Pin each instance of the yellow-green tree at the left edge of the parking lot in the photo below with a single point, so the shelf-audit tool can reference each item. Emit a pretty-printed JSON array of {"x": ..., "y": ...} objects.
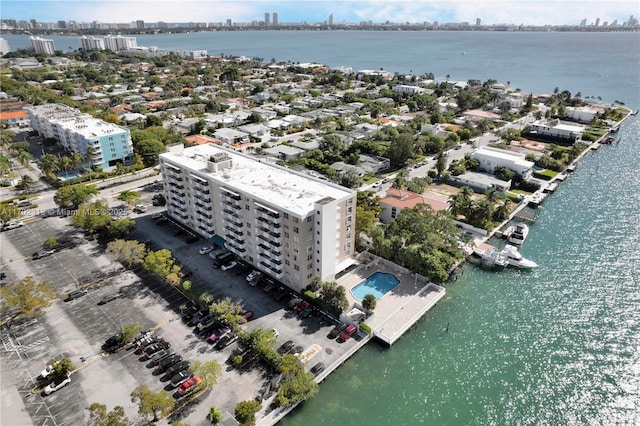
[{"x": 27, "y": 296}]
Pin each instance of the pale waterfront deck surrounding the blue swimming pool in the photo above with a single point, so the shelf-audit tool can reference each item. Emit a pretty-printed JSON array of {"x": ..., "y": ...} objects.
[{"x": 401, "y": 307}]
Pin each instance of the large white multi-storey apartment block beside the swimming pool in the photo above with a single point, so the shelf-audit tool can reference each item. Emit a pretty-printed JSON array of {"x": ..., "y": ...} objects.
[{"x": 285, "y": 223}]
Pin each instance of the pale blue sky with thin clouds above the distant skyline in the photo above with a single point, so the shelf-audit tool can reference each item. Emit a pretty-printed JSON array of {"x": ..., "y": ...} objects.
[{"x": 528, "y": 12}]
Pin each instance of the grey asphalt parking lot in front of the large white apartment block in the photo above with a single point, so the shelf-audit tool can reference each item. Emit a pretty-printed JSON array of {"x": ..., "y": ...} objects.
[{"x": 78, "y": 328}]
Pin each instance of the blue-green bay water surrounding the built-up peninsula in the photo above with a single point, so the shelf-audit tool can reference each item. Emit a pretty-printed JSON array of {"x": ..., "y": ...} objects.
[{"x": 556, "y": 346}]
